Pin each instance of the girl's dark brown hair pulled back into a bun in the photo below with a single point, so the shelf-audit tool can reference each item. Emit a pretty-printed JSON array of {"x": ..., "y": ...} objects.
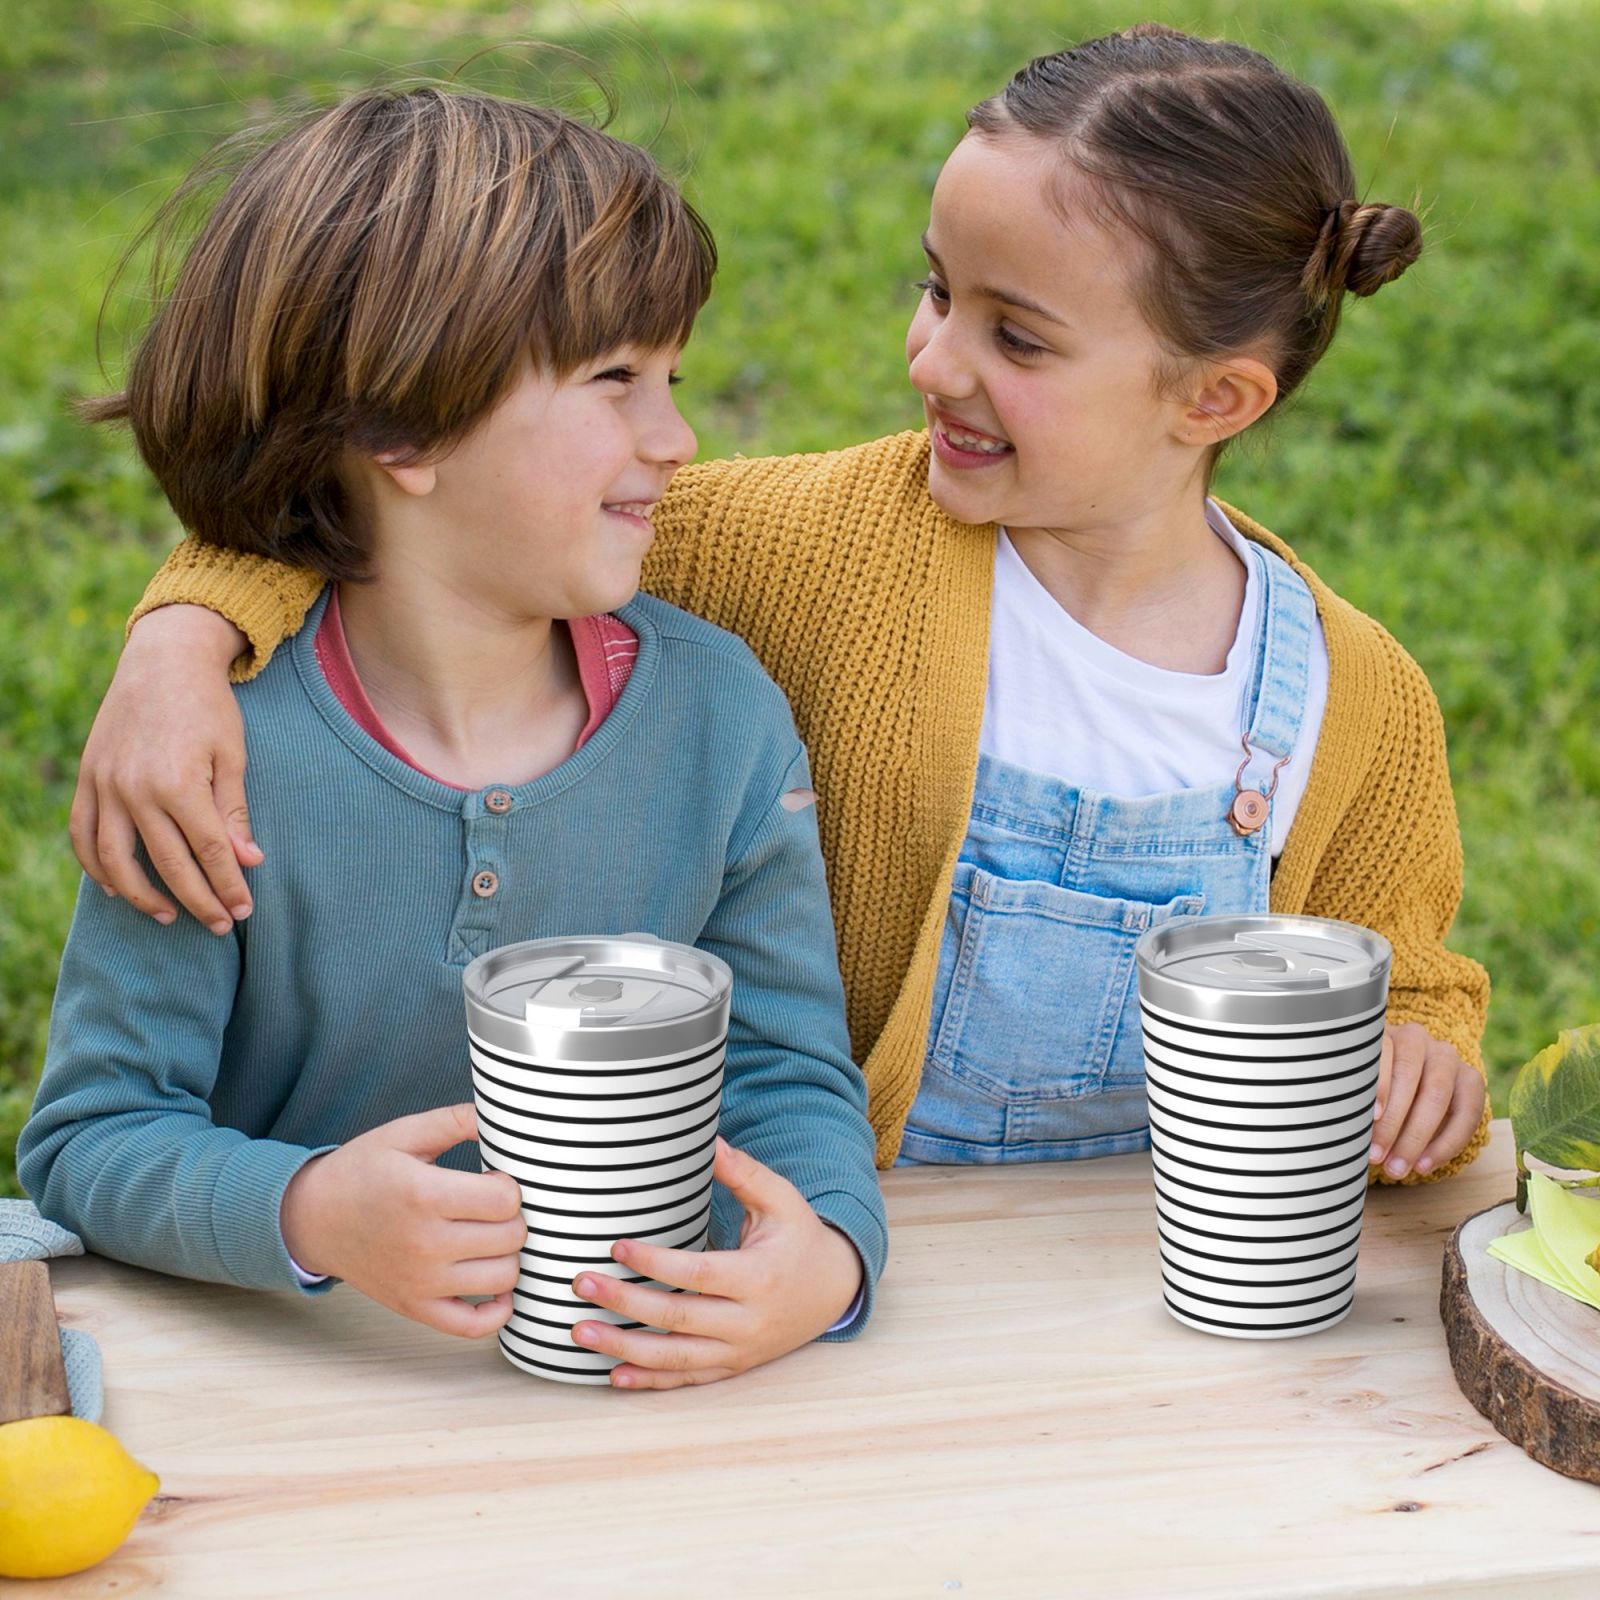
[{"x": 1234, "y": 175}]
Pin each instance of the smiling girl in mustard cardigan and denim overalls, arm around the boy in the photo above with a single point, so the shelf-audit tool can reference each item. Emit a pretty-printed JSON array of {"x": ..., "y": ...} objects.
[{"x": 1055, "y": 692}]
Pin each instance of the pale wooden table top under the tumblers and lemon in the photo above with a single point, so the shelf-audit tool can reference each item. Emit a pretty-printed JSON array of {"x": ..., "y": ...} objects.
[{"x": 1023, "y": 1418}]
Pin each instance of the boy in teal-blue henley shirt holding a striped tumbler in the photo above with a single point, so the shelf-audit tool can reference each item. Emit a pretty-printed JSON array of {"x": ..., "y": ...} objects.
[{"x": 425, "y": 345}]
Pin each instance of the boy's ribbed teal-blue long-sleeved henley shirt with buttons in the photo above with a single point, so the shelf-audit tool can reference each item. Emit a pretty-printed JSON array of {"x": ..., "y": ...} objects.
[{"x": 188, "y": 1078}]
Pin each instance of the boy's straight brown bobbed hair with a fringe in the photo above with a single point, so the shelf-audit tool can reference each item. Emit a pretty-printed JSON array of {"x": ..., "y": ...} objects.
[{"x": 375, "y": 279}]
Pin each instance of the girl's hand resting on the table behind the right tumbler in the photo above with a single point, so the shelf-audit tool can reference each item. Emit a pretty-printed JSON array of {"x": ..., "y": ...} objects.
[{"x": 1430, "y": 1102}]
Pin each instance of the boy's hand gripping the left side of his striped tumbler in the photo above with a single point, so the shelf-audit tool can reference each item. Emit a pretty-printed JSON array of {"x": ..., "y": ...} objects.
[{"x": 406, "y": 1233}]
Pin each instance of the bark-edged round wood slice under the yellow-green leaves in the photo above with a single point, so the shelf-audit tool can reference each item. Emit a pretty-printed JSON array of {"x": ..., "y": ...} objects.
[{"x": 1524, "y": 1354}]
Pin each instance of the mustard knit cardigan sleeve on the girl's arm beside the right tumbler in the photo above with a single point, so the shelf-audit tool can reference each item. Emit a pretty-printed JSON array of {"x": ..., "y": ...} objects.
[{"x": 1396, "y": 865}]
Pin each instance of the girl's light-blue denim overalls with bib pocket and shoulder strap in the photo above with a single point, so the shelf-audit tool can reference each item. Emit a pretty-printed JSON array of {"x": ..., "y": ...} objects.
[{"x": 1034, "y": 1049}]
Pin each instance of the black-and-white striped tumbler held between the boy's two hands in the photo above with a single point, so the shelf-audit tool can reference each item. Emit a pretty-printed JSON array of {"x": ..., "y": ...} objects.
[{"x": 598, "y": 1074}]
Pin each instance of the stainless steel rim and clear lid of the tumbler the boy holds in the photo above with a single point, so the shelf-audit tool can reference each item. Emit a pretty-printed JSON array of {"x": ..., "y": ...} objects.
[{"x": 598, "y": 999}]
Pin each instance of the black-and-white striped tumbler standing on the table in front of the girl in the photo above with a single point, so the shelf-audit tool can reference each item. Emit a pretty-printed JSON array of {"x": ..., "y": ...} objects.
[{"x": 1262, "y": 1047}]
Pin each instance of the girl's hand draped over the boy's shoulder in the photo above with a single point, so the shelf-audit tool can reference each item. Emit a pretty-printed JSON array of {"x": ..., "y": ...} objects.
[{"x": 166, "y": 762}]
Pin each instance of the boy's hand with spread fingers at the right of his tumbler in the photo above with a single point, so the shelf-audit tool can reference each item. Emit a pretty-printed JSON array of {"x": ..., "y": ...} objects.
[{"x": 790, "y": 1281}]
